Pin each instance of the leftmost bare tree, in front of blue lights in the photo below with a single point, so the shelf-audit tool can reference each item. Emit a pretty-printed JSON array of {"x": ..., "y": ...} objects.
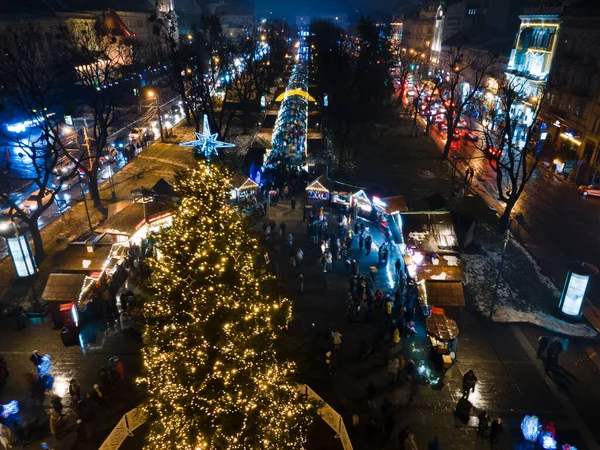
[{"x": 31, "y": 85}]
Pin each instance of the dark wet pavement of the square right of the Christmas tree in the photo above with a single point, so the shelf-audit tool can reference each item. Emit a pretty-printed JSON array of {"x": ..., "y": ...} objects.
[{"x": 511, "y": 383}]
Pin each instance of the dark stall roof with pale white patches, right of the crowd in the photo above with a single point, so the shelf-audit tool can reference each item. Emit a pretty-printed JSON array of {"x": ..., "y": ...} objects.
[{"x": 429, "y": 231}]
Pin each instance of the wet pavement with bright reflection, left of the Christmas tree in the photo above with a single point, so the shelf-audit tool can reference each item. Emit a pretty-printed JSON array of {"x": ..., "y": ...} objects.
[{"x": 82, "y": 363}]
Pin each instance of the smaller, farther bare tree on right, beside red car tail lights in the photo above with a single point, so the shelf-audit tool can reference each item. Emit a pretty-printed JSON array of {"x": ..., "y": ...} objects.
[{"x": 464, "y": 73}]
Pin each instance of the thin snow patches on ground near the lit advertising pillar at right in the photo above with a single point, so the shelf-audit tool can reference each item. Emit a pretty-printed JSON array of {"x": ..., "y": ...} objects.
[{"x": 482, "y": 271}]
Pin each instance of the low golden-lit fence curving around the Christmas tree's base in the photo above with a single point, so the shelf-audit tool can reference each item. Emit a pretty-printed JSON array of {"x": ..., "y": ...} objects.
[{"x": 137, "y": 417}]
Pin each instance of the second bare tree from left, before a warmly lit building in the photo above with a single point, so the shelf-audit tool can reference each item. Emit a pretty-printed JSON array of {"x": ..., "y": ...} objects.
[{"x": 96, "y": 58}]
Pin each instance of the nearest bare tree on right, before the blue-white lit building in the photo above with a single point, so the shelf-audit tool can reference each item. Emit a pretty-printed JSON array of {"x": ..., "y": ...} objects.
[{"x": 509, "y": 144}]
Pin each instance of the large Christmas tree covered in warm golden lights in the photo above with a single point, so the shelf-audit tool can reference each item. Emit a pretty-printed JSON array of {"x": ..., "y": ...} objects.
[{"x": 211, "y": 368}]
